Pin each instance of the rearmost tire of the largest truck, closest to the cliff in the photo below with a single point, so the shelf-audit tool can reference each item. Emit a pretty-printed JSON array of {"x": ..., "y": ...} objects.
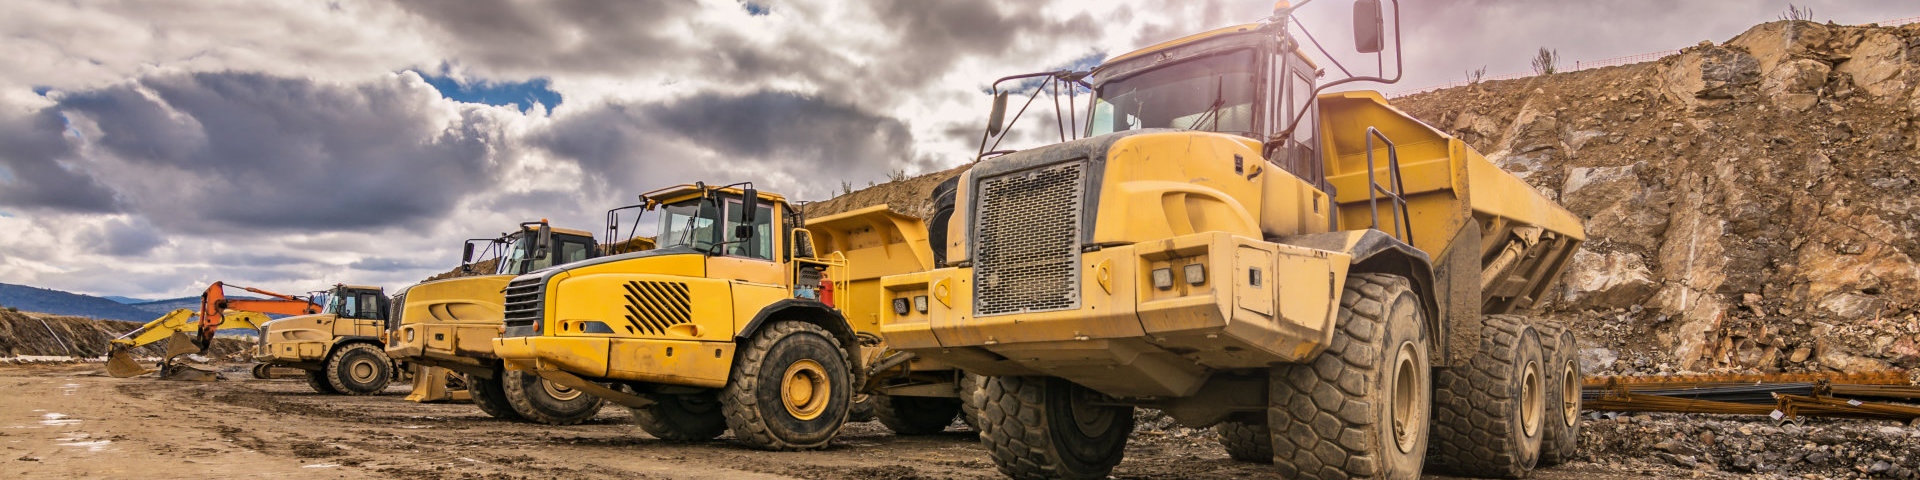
[{"x": 1562, "y": 441}]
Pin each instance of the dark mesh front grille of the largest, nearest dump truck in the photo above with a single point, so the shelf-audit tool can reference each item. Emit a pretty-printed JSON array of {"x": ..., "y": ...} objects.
[{"x": 1026, "y": 249}]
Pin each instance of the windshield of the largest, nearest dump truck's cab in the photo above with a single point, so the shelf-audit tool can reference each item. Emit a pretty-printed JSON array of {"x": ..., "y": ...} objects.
[{"x": 1212, "y": 93}]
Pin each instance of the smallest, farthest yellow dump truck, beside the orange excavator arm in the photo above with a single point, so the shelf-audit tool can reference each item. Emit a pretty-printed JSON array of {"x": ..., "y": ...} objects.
[{"x": 339, "y": 347}]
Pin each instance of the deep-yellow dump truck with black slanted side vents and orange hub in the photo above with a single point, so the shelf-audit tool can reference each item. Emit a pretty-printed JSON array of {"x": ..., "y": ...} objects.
[{"x": 736, "y": 322}]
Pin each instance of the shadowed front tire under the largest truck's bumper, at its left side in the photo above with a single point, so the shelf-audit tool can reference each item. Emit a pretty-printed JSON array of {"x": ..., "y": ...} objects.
[{"x": 1030, "y": 431}]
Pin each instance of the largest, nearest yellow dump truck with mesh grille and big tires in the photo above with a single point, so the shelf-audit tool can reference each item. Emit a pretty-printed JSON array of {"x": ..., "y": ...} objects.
[{"x": 1335, "y": 285}]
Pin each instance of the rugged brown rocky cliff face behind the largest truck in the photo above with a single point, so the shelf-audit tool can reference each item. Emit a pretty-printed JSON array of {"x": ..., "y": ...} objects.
[{"x": 1750, "y": 204}]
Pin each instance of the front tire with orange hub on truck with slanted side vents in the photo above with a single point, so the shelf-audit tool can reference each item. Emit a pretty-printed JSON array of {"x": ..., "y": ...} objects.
[{"x": 752, "y": 398}]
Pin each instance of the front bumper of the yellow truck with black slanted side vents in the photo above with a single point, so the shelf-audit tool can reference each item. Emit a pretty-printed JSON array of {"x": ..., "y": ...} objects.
[{"x": 638, "y": 360}]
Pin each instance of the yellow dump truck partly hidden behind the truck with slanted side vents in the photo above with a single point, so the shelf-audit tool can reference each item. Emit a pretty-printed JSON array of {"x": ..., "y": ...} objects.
[{"x": 452, "y": 325}]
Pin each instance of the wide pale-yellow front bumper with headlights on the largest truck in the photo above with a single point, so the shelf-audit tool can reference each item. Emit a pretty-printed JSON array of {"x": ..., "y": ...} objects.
[{"x": 1255, "y": 304}]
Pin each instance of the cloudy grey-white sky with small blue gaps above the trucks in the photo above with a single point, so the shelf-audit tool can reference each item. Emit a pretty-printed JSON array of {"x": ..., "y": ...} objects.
[{"x": 153, "y": 147}]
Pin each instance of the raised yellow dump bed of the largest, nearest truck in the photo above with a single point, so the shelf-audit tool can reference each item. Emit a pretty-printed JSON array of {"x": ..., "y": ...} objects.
[{"x": 1460, "y": 208}]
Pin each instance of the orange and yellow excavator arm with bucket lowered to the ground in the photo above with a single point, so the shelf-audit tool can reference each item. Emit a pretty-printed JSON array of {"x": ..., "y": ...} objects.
[{"x": 216, "y": 312}]
